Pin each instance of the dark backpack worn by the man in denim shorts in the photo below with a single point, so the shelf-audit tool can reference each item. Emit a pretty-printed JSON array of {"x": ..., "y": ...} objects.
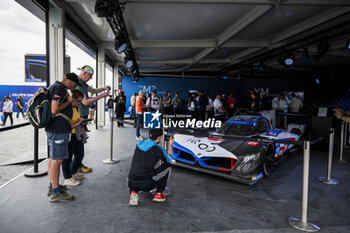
[{"x": 39, "y": 109}]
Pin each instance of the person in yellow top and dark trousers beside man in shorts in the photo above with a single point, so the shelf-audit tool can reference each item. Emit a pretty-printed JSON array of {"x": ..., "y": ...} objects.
[{"x": 71, "y": 165}]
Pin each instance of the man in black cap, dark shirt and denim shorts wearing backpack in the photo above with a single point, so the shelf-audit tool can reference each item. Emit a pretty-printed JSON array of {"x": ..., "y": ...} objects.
[{"x": 58, "y": 134}]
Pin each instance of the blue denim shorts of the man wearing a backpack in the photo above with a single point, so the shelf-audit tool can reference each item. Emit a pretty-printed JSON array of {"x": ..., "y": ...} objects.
[{"x": 58, "y": 145}]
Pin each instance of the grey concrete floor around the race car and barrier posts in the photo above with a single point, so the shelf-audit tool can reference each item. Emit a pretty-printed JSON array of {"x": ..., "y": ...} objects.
[{"x": 199, "y": 203}]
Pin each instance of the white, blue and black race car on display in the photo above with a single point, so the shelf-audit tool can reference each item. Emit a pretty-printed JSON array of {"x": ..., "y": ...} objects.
[{"x": 240, "y": 160}]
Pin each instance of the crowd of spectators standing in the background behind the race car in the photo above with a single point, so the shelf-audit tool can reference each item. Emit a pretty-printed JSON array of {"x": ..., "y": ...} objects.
[{"x": 202, "y": 105}]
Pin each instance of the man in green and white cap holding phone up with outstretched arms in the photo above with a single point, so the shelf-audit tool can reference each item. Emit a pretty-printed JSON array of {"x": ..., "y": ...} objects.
[{"x": 84, "y": 76}]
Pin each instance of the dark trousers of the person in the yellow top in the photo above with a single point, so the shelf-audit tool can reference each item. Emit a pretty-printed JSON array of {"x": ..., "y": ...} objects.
[{"x": 71, "y": 165}]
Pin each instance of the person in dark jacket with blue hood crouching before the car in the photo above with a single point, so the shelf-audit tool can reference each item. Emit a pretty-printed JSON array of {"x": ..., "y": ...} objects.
[{"x": 150, "y": 167}]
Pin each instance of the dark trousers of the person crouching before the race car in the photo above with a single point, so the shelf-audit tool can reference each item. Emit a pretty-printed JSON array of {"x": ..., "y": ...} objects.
[{"x": 158, "y": 181}]
